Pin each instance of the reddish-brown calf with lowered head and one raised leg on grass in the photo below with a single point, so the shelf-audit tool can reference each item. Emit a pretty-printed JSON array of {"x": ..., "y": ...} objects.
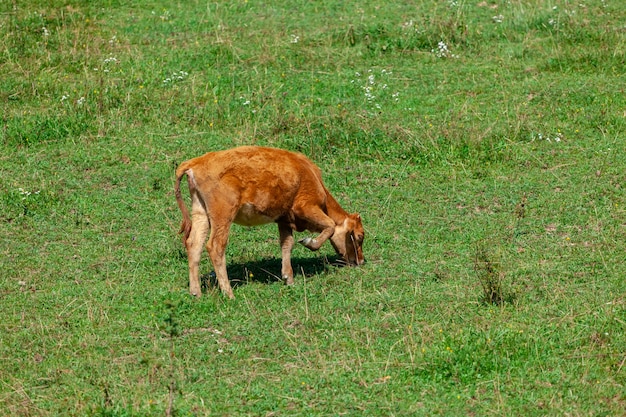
[{"x": 251, "y": 186}]
